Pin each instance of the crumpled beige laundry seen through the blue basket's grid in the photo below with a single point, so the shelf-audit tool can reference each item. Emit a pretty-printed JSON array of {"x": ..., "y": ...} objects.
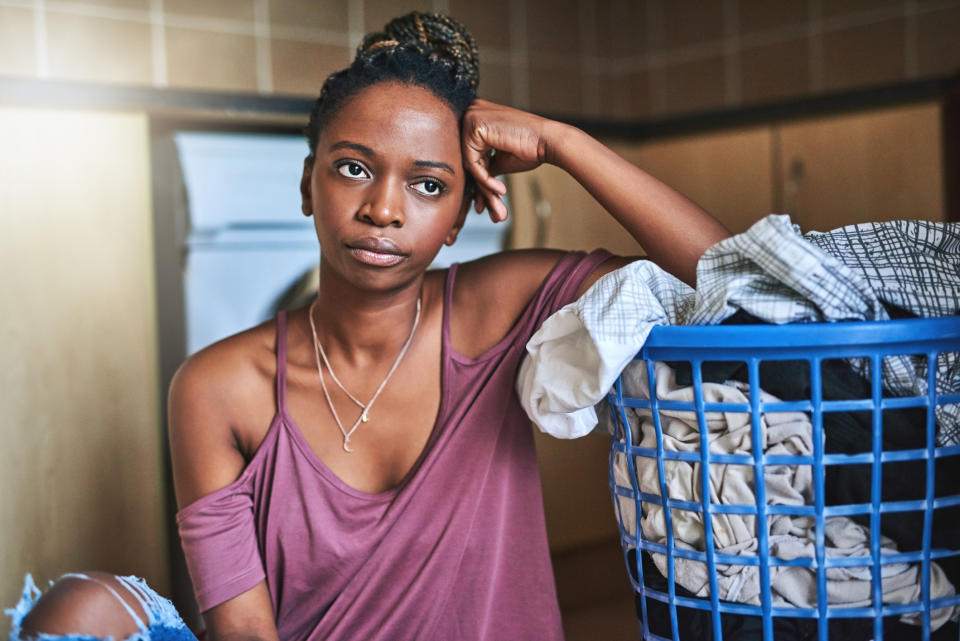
[{"x": 790, "y": 536}]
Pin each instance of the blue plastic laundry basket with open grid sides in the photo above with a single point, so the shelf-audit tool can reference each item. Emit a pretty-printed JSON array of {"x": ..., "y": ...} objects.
[{"x": 808, "y": 349}]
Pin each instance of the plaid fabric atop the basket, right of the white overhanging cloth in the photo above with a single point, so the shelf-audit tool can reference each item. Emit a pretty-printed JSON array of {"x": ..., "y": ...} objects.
[{"x": 774, "y": 273}]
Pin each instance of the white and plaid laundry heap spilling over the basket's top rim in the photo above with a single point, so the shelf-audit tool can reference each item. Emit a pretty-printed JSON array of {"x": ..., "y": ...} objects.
[{"x": 769, "y": 271}]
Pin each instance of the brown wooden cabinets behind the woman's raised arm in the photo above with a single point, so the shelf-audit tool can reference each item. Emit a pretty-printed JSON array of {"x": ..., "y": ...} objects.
[{"x": 825, "y": 172}]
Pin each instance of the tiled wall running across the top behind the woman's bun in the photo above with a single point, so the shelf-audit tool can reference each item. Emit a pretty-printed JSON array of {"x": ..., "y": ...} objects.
[{"x": 618, "y": 59}]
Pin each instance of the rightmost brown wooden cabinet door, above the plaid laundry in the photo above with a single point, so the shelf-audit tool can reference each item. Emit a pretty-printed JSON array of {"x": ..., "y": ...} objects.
[{"x": 881, "y": 165}]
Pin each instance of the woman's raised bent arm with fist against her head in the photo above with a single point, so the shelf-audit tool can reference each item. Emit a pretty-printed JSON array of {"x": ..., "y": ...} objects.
[{"x": 671, "y": 228}]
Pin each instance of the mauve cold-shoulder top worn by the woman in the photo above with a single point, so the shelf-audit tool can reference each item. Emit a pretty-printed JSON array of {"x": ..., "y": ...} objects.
[{"x": 457, "y": 551}]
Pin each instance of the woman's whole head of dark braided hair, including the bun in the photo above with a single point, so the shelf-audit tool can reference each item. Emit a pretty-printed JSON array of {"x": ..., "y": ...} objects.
[{"x": 428, "y": 50}]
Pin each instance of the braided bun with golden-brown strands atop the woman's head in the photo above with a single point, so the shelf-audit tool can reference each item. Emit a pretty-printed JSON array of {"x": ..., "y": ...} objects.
[{"x": 435, "y": 35}]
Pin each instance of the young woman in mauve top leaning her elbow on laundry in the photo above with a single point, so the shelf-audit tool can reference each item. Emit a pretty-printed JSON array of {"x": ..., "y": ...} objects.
[{"x": 361, "y": 468}]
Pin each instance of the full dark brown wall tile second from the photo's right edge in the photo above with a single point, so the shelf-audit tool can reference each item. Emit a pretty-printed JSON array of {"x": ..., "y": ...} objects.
[{"x": 867, "y": 55}]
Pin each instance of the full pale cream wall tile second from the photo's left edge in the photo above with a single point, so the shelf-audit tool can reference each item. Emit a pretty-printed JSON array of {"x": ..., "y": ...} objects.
[{"x": 98, "y": 49}]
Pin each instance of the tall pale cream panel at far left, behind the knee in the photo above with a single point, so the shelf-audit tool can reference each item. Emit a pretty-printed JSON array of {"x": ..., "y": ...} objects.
[{"x": 80, "y": 460}]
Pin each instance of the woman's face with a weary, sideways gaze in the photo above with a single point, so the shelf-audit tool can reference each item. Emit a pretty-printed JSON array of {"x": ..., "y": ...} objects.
[{"x": 386, "y": 185}]
